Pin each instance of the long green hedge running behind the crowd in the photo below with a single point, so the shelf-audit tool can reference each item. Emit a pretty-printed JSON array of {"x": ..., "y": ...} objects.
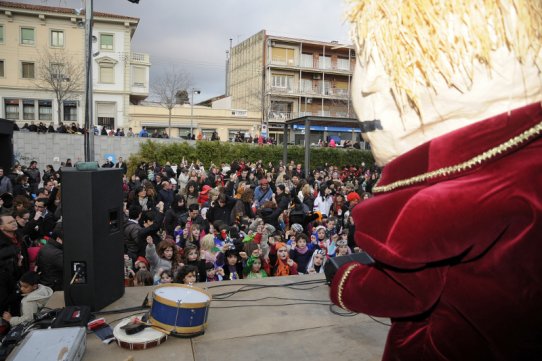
[{"x": 223, "y": 152}]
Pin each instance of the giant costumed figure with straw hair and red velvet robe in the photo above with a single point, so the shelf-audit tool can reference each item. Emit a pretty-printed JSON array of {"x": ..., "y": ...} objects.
[{"x": 449, "y": 94}]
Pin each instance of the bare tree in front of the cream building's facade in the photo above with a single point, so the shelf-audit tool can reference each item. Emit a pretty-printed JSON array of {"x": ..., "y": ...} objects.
[{"x": 61, "y": 74}]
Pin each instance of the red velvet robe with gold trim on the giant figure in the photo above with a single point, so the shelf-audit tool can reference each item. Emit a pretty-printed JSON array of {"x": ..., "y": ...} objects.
[{"x": 459, "y": 255}]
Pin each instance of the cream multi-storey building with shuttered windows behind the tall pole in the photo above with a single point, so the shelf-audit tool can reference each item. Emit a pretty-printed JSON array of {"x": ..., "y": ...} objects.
[{"x": 44, "y": 42}]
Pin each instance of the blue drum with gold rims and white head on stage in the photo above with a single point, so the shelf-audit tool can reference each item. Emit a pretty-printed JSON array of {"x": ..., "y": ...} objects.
[{"x": 180, "y": 309}]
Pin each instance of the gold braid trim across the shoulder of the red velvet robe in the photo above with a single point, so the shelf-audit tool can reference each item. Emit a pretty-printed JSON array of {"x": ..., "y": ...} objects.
[{"x": 475, "y": 161}]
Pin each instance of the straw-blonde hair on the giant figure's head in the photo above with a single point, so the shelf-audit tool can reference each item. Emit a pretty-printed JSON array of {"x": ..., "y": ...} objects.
[{"x": 421, "y": 42}]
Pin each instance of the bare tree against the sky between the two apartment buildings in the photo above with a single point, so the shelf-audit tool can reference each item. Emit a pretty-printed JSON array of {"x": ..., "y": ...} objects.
[{"x": 167, "y": 88}]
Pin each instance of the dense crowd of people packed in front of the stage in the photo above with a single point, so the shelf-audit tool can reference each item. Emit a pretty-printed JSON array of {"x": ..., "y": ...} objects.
[{"x": 189, "y": 223}]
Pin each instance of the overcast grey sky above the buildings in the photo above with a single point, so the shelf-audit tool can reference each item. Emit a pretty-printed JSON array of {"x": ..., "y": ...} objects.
[{"x": 193, "y": 35}]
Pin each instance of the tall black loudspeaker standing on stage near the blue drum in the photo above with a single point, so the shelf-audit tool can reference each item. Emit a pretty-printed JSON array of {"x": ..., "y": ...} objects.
[{"x": 93, "y": 242}]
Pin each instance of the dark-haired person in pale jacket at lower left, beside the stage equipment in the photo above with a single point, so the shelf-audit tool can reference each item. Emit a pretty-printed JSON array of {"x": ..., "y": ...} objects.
[{"x": 35, "y": 296}]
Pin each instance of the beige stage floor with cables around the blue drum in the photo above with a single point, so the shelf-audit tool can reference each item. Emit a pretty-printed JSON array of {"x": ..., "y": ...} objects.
[{"x": 267, "y": 320}]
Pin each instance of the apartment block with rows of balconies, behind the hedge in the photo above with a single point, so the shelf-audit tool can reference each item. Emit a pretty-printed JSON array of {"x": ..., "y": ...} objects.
[{"x": 287, "y": 78}]
